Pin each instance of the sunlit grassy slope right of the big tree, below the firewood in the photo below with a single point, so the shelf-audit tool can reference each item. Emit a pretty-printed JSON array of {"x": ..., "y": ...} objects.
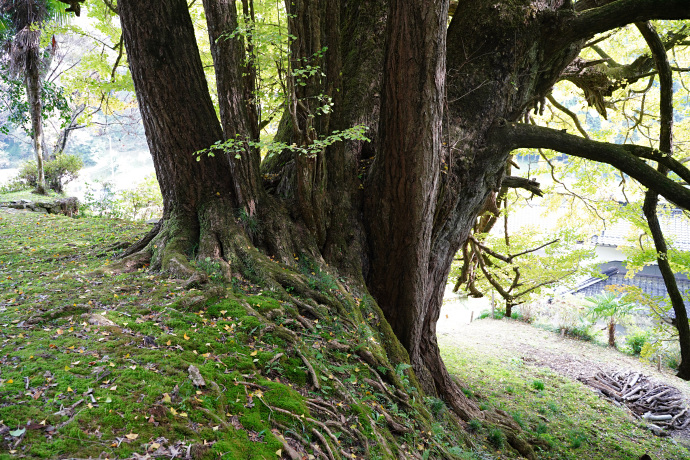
[{"x": 568, "y": 417}]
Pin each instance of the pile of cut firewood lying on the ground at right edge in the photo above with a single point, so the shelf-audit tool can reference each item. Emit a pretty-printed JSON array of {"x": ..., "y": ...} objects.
[{"x": 661, "y": 405}]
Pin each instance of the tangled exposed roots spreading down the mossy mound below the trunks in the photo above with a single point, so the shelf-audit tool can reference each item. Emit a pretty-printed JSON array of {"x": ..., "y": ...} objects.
[{"x": 170, "y": 250}]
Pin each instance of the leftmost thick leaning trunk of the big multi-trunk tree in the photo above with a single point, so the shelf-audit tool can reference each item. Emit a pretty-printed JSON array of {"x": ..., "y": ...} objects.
[{"x": 179, "y": 120}]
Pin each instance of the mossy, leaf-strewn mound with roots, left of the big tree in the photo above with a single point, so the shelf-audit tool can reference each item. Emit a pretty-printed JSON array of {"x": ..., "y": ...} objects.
[{"x": 95, "y": 365}]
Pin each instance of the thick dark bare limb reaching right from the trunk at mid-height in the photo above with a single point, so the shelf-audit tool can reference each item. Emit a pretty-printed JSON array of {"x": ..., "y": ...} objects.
[{"x": 627, "y": 158}]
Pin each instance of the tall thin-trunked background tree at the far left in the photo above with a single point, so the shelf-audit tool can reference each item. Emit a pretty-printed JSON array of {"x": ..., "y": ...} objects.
[{"x": 25, "y": 20}]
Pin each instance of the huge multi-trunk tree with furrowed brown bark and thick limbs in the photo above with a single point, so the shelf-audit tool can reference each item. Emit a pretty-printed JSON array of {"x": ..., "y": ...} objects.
[{"x": 443, "y": 98}]
